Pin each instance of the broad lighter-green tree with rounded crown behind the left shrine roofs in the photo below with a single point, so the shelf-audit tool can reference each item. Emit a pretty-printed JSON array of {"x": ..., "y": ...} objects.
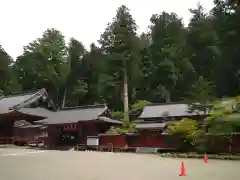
[{"x": 51, "y": 64}]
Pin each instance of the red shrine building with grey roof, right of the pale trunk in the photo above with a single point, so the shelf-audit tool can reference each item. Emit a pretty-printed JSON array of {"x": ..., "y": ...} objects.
[{"x": 154, "y": 119}]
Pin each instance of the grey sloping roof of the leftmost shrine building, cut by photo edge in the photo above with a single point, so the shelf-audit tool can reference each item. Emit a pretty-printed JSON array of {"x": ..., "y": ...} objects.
[{"x": 10, "y": 103}]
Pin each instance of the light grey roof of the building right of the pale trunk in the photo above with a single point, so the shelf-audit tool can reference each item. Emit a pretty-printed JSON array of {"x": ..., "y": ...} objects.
[{"x": 168, "y": 109}]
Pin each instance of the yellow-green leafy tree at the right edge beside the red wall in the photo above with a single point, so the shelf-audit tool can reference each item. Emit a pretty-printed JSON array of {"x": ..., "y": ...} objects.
[{"x": 223, "y": 122}]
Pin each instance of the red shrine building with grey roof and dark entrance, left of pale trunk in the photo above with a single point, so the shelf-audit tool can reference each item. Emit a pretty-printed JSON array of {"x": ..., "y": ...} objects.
[{"x": 72, "y": 125}]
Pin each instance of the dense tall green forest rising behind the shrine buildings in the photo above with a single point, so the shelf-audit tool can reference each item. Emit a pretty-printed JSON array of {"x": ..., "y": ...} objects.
[{"x": 171, "y": 62}]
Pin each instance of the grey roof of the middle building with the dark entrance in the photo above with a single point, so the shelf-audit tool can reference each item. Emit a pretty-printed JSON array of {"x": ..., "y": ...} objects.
[{"x": 73, "y": 115}]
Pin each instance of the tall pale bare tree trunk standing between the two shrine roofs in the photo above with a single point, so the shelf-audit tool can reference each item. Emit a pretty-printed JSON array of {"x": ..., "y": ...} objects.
[{"x": 125, "y": 95}]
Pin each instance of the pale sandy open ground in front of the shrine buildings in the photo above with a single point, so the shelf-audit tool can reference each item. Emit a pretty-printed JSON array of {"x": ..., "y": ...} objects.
[{"x": 21, "y": 164}]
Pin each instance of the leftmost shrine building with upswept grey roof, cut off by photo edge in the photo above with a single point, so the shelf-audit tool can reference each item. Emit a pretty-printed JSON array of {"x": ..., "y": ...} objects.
[{"x": 10, "y": 110}]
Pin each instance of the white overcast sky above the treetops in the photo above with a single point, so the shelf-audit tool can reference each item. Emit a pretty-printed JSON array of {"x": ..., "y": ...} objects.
[{"x": 22, "y": 21}]
